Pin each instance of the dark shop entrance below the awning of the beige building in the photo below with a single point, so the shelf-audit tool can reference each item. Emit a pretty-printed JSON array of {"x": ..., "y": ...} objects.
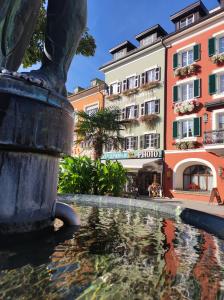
[{"x": 147, "y": 178}]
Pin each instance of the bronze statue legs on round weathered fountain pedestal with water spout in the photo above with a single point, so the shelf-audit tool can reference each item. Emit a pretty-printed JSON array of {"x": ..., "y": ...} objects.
[{"x": 36, "y": 119}]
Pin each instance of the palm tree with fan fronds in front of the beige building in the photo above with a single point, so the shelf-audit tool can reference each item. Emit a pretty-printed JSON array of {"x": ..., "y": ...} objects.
[{"x": 100, "y": 129}]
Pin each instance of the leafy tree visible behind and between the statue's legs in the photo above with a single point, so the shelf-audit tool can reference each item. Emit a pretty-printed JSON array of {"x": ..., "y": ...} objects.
[{"x": 33, "y": 54}]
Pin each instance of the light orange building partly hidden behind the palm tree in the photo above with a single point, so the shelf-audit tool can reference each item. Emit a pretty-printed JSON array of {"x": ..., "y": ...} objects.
[{"x": 89, "y": 100}]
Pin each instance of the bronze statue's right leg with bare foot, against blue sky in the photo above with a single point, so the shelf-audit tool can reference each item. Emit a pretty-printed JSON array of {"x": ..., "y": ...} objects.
[{"x": 66, "y": 21}]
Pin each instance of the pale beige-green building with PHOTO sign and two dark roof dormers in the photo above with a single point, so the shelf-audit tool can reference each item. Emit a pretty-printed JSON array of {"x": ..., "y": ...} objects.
[{"x": 136, "y": 84}]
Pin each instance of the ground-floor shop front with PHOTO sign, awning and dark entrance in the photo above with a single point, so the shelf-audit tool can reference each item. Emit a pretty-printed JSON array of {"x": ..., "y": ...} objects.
[{"x": 143, "y": 166}]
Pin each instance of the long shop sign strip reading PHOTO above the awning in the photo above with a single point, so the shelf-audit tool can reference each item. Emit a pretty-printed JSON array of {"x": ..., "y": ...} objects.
[{"x": 140, "y": 154}]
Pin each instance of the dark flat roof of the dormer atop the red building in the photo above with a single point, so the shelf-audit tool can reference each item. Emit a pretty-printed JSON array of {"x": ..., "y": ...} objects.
[{"x": 196, "y": 6}]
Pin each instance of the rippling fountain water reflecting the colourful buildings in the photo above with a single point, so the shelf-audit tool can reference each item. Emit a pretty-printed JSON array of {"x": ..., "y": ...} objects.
[{"x": 116, "y": 254}]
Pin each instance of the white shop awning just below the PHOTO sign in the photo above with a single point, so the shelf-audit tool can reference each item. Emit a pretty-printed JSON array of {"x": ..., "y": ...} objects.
[{"x": 137, "y": 164}]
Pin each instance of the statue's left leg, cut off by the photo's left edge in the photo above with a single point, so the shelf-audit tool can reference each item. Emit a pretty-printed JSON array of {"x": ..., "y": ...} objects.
[{"x": 17, "y": 25}]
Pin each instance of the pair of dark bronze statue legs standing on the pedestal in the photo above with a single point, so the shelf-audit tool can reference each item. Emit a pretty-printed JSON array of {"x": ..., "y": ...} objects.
[{"x": 66, "y": 20}]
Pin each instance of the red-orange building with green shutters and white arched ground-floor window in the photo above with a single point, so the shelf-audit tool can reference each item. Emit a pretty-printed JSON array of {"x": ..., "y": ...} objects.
[{"x": 194, "y": 162}]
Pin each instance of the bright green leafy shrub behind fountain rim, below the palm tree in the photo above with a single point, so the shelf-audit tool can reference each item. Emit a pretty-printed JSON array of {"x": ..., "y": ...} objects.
[{"x": 81, "y": 175}]
